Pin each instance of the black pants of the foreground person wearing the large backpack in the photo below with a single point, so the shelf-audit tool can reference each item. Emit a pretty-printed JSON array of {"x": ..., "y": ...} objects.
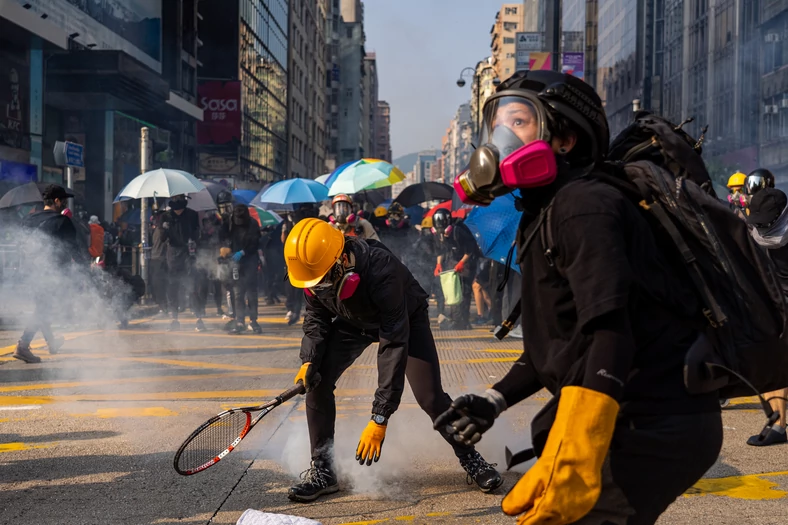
[{"x": 652, "y": 461}]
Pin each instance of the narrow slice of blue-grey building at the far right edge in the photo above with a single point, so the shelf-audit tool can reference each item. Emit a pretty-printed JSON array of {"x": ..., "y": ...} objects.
[{"x": 774, "y": 88}]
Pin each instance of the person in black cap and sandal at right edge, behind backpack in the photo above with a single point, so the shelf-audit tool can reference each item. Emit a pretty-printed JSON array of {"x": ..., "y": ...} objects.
[{"x": 769, "y": 227}]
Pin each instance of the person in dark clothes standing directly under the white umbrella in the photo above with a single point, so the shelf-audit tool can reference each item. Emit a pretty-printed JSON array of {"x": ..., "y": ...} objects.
[{"x": 181, "y": 227}]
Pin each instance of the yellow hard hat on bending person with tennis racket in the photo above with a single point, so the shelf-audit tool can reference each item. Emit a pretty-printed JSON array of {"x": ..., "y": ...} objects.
[{"x": 311, "y": 250}]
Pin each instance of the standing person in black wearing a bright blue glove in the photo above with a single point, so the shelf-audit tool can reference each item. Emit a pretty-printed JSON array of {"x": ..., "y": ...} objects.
[{"x": 243, "y": 235}]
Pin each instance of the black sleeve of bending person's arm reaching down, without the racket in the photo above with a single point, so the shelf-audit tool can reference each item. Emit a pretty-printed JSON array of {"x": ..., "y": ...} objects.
[{"x": 394, "y": 333}]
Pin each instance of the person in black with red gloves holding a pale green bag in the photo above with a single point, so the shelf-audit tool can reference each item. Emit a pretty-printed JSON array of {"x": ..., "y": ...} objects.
[{"x": 456, "y": 248}]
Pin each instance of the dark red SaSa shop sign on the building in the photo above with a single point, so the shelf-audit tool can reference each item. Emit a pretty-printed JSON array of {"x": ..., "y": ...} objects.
[{"x": 221, "y": 102}]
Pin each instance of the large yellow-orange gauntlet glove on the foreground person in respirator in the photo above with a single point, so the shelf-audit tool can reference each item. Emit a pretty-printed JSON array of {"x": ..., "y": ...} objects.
[{"x": 565, "y": 483}]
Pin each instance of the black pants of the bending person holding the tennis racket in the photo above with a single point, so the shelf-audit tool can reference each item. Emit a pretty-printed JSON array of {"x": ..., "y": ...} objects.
[{"x": 345, "y": 344}]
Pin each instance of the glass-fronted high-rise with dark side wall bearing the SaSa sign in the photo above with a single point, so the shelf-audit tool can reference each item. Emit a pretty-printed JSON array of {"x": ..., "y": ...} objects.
[{"x": 244, "y": 81}]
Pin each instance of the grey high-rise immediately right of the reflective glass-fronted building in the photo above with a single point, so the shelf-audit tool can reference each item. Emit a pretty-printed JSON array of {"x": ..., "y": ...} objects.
[{"x": 306, "y": 92}]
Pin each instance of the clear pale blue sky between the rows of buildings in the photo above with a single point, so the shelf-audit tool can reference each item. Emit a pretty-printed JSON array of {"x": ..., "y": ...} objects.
[{"x": 422, "y": 46}]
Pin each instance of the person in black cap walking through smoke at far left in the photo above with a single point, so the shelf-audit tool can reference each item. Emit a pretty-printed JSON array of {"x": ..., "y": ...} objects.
[{"x": 60, "y": 248}]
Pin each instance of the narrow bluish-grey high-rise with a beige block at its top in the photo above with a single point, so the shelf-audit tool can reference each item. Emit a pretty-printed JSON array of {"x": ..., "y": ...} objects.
[{"x": 352, "y": 142}]
